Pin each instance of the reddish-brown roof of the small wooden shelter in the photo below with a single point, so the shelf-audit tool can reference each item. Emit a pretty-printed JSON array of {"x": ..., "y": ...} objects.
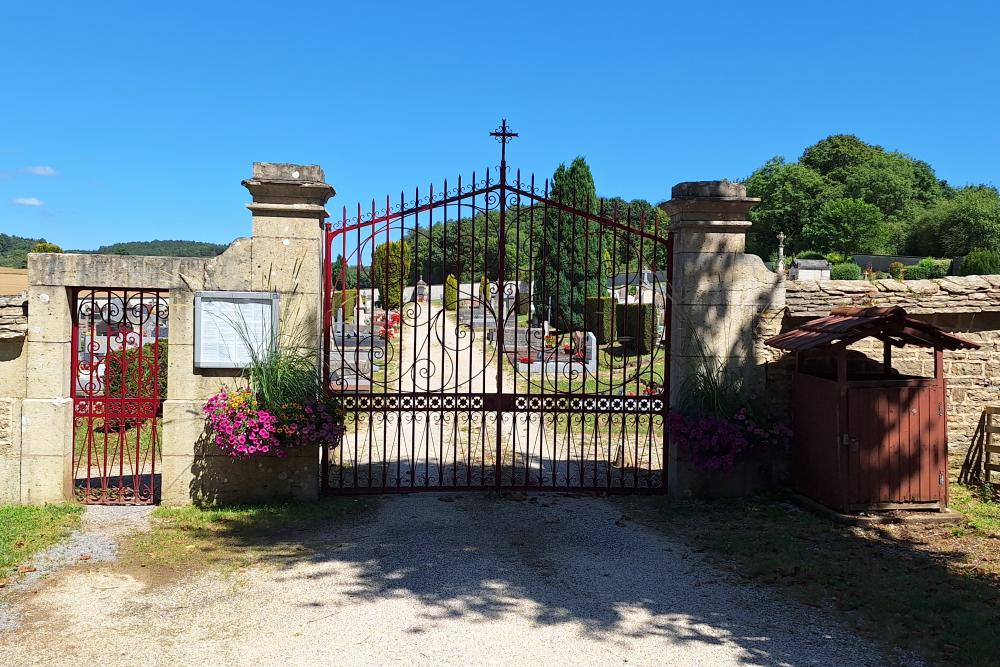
[{"x": 850, "y": 324}]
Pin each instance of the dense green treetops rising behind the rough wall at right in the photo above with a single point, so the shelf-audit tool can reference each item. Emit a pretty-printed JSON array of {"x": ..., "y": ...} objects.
[{"x": 850, "y": 197}]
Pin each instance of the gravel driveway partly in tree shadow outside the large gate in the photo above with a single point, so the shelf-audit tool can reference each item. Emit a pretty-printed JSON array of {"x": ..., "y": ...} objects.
[{"x": 439, "y": 580}]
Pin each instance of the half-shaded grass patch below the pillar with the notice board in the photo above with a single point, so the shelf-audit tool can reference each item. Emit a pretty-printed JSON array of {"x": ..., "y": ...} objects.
[{"x": 187, "y": 539}]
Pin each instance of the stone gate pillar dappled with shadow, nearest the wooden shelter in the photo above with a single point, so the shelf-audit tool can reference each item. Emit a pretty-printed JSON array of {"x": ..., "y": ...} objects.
[{"x": 719, "y": 297}]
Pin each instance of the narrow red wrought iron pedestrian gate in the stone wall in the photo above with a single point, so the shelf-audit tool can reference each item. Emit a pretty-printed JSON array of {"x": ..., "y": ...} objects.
[{"x": 118, "y": 365}]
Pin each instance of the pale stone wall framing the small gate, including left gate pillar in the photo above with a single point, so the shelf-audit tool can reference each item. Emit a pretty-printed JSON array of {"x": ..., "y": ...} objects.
[{"x": 283, "y": 255}]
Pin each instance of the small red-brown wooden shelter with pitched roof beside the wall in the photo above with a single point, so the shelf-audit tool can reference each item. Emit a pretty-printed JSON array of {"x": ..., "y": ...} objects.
[{"x": 866, "y": 436}]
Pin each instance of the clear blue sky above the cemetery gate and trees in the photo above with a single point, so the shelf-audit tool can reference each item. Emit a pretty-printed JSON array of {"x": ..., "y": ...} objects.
[{"x": 134, "y": 121}]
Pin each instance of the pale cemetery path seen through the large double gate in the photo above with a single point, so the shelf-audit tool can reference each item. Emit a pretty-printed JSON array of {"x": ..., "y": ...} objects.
[{"x": 437, "y": 356}]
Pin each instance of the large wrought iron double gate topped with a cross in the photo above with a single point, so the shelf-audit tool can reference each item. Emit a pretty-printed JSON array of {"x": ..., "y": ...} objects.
[{"x": 462, "y": 332}]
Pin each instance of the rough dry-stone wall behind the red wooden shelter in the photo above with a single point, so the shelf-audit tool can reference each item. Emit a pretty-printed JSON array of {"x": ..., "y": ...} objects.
[{"x": 968, "y": 306}]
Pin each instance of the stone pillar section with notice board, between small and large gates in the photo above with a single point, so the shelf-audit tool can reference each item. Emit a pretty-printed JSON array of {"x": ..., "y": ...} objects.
[{"x": 284, "y": 256}]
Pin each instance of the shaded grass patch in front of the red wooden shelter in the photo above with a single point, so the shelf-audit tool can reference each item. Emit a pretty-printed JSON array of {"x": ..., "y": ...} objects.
[{"x": 922, "y": 589}]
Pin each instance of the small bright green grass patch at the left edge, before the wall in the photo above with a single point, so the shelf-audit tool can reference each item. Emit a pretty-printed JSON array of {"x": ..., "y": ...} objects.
[{"x": 26, "y": 530}]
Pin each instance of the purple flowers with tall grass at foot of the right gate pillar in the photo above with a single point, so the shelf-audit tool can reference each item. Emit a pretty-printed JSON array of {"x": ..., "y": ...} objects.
[{"x": 716, "y": 424}]
